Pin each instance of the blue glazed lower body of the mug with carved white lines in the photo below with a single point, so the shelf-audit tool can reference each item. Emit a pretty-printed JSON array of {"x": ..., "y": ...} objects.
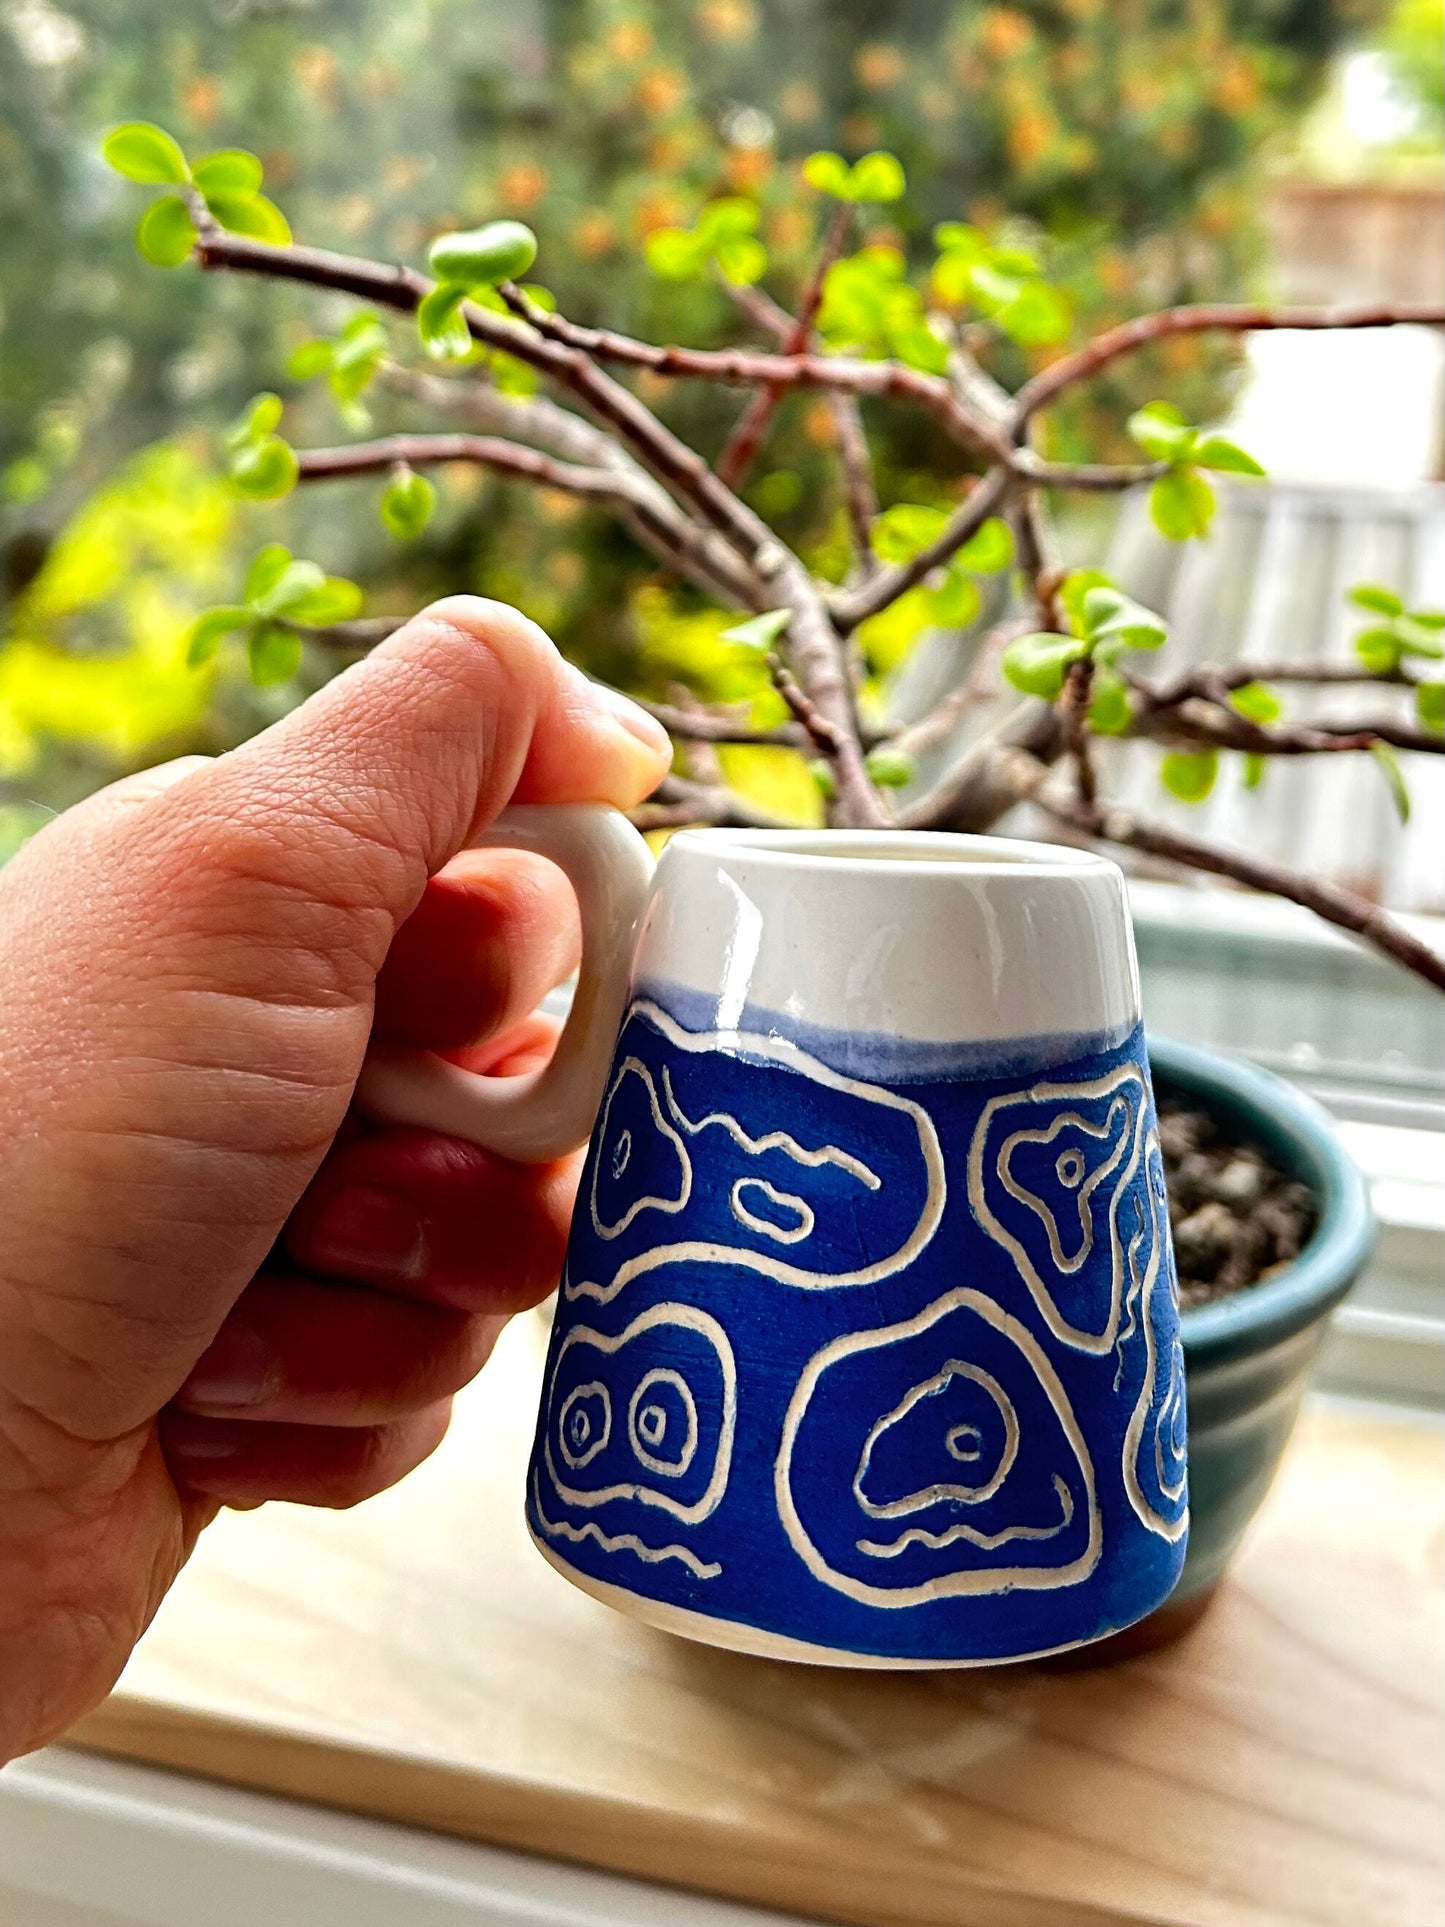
[{"x": 870, "y": 1350}]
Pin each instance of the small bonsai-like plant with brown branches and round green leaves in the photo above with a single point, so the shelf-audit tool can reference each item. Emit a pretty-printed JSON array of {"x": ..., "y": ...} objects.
[{"x": 529, "y": 394}]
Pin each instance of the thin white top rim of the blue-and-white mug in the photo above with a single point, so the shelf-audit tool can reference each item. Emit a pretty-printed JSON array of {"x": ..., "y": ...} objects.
[{"x": 935, "y": 853}]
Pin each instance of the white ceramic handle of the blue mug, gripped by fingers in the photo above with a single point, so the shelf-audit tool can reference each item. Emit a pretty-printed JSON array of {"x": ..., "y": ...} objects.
[{"x": 539, "y": 1115}]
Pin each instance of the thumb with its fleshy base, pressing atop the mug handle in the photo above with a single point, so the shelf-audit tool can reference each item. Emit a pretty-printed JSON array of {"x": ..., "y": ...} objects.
[{"x": 188, "y": 980}]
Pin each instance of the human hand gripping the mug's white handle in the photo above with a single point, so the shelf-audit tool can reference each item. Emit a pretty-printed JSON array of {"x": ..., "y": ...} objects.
[{"x": 217, "y": 1284}]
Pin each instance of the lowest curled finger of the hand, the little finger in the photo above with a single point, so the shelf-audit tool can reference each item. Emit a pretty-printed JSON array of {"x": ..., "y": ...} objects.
[{"x": 309, "y": 1465}]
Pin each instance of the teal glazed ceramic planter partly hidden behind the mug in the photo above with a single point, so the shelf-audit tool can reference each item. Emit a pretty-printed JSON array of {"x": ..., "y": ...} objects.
[{"x": 1249, "y": 1356}]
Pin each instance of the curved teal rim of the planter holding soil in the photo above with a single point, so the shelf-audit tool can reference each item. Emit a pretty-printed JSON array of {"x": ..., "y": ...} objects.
[{"x": 1303, "y": 1136}]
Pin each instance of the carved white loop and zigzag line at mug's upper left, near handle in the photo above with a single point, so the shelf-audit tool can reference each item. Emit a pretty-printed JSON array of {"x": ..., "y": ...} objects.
[{"x": 781, "y": 1051}]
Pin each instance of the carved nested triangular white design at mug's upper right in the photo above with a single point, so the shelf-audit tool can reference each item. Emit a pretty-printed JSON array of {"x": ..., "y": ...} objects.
[{"x": 1130, "y": 1084}]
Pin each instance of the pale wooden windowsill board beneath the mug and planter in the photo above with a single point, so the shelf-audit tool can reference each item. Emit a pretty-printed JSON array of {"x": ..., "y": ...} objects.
[{"x": 417, "y": 1660}]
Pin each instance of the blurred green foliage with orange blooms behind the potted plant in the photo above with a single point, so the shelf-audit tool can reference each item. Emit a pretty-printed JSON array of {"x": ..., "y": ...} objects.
[{"x": 1107, "y": 140}]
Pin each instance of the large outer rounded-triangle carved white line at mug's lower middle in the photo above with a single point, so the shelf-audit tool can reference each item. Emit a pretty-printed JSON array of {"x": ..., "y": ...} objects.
[{"x": 945, "y": 1585}]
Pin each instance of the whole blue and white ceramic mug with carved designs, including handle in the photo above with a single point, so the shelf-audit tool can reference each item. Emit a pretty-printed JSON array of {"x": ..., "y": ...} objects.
[{"x": 868, "y": 1342}]
